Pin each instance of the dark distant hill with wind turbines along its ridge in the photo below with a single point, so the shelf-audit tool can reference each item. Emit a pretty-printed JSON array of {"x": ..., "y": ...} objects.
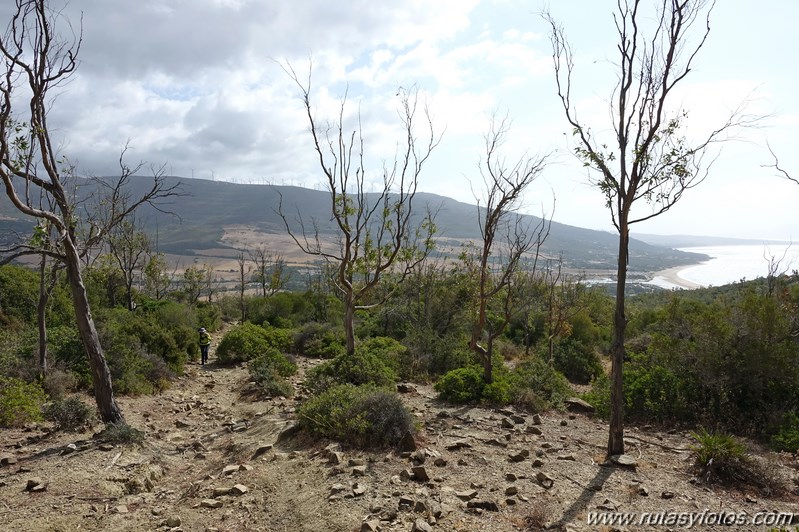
[{"x": 207, "y": 209}]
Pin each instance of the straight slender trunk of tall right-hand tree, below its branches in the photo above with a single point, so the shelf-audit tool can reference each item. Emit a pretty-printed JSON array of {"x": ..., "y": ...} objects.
[{"x": 616, "y": 435}]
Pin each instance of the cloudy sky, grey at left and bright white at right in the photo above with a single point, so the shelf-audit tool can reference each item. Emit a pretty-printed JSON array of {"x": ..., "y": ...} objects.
[{"x": 200, "y": 87}]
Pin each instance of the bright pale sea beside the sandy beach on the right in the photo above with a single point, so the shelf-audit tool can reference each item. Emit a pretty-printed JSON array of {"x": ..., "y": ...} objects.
[{"x": 729, "y": 264}]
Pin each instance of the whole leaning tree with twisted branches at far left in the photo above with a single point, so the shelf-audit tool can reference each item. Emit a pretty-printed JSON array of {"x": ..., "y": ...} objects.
[{"x": 37, "y": 60}]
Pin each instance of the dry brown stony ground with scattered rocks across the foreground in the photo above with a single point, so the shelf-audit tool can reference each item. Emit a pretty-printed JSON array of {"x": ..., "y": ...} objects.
[{"x": 216, "y": 457}]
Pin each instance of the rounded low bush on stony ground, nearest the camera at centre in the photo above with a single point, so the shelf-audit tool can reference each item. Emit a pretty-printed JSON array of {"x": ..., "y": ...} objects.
[{"x": 362, "y": 416}]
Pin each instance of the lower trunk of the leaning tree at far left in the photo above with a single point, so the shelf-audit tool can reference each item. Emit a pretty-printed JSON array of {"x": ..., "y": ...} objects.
[{"x": 101, "y": 375}]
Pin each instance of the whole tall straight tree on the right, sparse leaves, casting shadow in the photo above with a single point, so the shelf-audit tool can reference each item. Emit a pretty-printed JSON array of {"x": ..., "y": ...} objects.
[{"x": 646, "y": 161}]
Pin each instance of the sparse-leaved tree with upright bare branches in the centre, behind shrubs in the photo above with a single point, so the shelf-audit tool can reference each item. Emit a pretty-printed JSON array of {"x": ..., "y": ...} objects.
[{"x": 378, "y": 239}]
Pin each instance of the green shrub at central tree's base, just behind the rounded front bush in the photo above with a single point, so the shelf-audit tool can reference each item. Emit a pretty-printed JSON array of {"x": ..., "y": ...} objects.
[{"x": 362, "y": 367}]
